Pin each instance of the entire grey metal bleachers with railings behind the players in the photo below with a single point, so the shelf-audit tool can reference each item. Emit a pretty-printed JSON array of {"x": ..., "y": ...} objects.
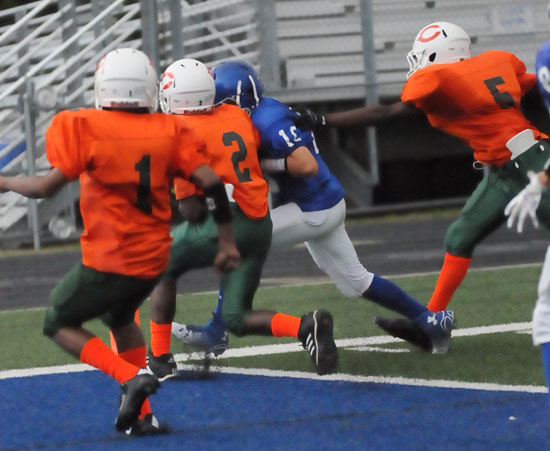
[{"x": 307, "y": 51}]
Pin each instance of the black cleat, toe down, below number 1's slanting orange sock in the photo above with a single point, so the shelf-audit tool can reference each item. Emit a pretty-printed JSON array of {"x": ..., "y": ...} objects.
[{"x": 134, "y": 392}]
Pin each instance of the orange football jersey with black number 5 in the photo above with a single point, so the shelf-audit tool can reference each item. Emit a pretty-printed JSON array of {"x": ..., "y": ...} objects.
[{"x": 477, "y": 100}]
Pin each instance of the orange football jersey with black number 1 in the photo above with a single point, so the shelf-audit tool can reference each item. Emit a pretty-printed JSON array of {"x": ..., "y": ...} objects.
[{"x": 126, "y": 163}]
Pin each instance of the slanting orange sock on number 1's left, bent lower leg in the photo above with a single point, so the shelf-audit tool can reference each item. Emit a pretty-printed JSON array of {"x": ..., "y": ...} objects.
[{"x": 98, "y": 354}]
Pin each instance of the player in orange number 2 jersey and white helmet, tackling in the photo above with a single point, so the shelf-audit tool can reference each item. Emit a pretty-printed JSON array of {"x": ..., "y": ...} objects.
[{"x": 187, "y": 92}]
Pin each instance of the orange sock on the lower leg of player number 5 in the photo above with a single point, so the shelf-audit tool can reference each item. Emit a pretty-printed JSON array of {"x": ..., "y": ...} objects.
[{"x": 452, "y": 274}]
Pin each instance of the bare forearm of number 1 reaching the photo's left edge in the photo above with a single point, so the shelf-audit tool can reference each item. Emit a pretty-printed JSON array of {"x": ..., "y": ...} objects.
[{"x": 36, "y": 186}]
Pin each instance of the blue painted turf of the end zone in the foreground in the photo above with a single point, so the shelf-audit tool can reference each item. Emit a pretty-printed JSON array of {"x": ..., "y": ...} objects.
[{"x": 237, "y": 412}]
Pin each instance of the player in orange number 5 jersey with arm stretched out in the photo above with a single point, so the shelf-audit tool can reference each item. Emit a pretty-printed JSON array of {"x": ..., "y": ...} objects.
[{"x": 478, "y": 100}]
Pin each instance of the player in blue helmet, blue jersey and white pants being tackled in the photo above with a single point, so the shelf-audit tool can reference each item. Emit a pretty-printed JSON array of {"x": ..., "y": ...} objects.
[{"x": 312, "y": 210}]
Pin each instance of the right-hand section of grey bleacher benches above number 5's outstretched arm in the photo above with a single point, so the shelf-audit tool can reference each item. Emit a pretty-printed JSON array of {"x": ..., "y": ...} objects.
[{"x": 321, "y": 44}]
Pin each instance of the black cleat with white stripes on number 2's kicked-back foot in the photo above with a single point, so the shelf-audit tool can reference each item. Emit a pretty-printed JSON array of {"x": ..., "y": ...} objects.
[{"x": 316, "y": 336}]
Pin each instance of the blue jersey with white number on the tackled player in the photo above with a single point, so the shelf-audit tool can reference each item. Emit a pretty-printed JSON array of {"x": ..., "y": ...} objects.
[{"x": 279, "y": 137}]
